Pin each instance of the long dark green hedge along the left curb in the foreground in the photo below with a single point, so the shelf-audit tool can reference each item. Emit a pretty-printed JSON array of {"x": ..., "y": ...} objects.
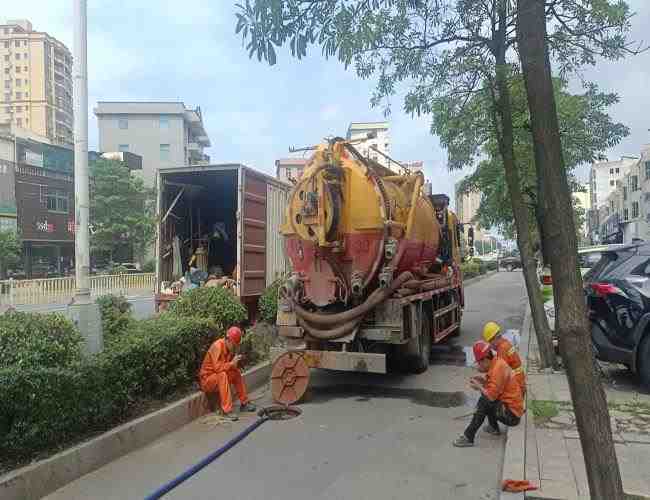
[{"x": 44, "y": 407}]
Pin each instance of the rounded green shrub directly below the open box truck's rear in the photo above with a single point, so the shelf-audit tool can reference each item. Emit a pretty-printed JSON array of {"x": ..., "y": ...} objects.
[{"x": 213, "y": 303}]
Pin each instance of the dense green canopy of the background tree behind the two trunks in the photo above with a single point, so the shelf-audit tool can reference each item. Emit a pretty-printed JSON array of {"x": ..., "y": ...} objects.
[{"x": 587, "y": 132}]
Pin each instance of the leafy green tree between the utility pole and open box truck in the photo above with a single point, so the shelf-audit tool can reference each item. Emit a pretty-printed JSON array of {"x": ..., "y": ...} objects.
[{"x": 121, "y": 214}]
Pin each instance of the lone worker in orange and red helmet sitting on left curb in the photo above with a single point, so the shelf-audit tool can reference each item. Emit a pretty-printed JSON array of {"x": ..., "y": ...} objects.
[{"x": 220, "y": 368}]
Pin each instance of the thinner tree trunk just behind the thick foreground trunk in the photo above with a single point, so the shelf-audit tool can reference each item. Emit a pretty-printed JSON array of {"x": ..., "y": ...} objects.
[{"x": 505, "y": 138}]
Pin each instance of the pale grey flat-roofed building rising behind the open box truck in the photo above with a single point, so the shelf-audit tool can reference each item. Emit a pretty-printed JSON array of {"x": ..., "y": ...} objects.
[{"x": 165, "y": 134}]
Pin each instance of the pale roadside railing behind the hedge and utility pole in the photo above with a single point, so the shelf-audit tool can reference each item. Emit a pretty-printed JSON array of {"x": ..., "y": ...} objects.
[{"x": 61, "y": 290}]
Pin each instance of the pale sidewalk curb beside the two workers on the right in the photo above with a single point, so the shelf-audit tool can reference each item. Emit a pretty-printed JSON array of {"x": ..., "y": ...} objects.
[{"x": 514, "y": 460}]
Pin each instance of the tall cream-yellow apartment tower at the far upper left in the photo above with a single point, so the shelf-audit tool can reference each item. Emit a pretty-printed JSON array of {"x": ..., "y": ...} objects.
[{"x": 36, "y": 73}]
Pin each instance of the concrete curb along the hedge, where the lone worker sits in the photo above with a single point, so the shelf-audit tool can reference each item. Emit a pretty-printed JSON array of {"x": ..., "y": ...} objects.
[{"x": 46, "y": 476}]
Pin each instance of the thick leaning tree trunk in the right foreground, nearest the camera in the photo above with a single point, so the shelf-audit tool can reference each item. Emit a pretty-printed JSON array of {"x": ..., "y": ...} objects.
[{"x": 588, "y": 396}]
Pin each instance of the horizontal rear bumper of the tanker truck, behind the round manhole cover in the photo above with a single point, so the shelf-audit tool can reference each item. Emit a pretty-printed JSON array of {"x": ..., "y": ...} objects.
[{"x": 338, "y": 360}]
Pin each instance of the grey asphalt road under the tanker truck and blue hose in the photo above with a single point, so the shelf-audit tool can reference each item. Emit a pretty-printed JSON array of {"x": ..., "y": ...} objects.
[{"x": 360, "y": 436}]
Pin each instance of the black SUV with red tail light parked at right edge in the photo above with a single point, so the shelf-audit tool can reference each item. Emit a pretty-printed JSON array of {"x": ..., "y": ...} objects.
[{"x": 618, "y": 300}]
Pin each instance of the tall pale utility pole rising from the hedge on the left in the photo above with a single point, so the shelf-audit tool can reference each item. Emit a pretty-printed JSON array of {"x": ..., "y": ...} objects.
[{"x": 83, "y": 310}]
